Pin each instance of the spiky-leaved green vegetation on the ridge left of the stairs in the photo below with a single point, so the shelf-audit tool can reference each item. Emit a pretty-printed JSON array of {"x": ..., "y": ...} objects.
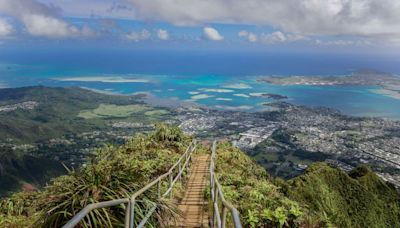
[{"x": 115, "y": 172}]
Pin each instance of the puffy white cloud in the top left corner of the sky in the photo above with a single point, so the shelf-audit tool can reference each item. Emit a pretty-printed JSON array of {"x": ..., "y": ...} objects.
[{"x": 40, "y": 19}]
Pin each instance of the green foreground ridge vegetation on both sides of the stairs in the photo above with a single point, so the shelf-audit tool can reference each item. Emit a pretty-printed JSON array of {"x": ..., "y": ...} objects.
[{"x": 322, "y": 197}]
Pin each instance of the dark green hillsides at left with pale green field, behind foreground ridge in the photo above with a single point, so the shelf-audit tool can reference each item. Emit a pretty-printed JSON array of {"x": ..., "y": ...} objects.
[{"x": 59, "y": 112}]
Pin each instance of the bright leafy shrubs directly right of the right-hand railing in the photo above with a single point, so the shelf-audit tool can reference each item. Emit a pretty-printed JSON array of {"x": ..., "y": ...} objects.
[{"x": 250, "y": 189}]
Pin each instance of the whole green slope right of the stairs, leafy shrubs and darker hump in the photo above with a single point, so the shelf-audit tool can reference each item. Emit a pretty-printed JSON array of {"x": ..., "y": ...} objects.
[{"x": 323, "y": 196}]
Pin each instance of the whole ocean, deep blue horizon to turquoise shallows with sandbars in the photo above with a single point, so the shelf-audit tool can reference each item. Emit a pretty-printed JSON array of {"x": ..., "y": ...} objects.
[{"x": 218, "y": 79}]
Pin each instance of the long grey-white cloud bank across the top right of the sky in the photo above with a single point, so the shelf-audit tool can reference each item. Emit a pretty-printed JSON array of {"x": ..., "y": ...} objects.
[{"x": 307, "y": 17}]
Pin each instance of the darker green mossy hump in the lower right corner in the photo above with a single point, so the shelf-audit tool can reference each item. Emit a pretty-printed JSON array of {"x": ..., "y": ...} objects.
[{"x": 357, "y": 199}]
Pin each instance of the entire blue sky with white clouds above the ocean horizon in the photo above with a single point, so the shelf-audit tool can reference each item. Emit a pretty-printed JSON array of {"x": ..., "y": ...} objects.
[{"x": 359, "y": 26}]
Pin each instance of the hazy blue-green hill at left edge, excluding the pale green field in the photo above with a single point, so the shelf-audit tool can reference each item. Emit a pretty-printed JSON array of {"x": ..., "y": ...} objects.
[{"x": 57, "y": 112}]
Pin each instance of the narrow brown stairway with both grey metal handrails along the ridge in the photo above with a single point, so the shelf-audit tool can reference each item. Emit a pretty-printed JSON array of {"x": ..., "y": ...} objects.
[{"x": 193, "y": 215}]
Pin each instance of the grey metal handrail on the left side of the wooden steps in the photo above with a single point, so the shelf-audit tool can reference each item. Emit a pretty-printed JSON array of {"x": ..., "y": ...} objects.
[{"x": 130, "y": 209}]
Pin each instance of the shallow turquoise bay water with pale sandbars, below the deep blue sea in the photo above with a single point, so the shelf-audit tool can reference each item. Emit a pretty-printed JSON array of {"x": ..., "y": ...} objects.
[{"x": 217, "y": 91}]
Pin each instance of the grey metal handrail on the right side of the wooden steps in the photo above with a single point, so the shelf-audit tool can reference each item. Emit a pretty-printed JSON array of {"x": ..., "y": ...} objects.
[{"x": 217, "y": 195}]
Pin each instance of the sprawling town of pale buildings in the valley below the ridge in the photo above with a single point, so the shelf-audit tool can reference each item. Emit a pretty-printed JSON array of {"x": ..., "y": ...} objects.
[{"x": 285, "y": 140}]
